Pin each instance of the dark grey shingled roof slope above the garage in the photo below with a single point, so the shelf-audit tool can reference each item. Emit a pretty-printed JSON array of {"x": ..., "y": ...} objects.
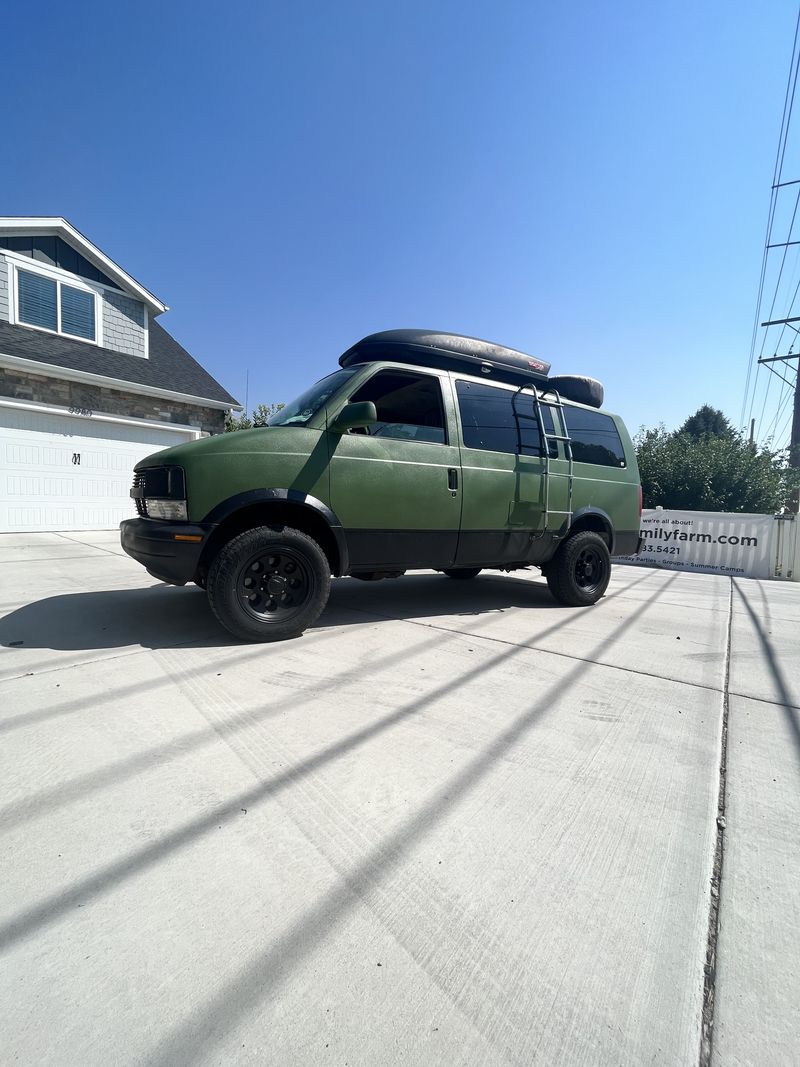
[{"x": 170, "y": 370}]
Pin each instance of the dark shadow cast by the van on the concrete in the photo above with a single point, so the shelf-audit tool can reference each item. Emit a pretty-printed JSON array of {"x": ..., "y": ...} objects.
[{"x": 166, "y": 617}]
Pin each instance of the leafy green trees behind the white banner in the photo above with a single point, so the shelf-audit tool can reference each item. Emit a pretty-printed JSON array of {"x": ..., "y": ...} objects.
[{"x": 711, "y": 473}]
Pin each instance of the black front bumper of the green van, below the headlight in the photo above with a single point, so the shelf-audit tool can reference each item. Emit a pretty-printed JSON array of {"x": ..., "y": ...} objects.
[{"x": 154, "y": 545}]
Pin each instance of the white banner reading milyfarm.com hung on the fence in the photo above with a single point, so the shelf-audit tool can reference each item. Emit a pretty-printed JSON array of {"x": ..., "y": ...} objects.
[{"x": 709, "y": 542}]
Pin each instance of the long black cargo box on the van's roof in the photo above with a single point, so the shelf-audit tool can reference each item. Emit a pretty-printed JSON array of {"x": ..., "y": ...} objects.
[{"x": 446, "y": 352}]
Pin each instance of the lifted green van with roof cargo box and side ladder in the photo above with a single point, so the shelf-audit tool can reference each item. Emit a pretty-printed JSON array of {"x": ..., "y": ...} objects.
[{"x": 424, "y": 451}]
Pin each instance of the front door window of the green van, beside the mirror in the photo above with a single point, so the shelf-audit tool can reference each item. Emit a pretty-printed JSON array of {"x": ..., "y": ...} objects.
[{"x": 409, "y": 407}]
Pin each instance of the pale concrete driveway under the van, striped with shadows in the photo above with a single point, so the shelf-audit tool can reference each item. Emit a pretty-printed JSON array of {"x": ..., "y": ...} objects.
[{"x": 453, "y": 824}]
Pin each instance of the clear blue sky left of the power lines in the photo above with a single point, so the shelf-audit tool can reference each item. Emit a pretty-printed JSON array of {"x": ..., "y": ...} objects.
[{"x": 587, "y": 182}]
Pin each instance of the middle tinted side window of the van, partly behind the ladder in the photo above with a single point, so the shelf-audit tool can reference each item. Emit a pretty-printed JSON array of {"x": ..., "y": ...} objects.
[{"x": 499, "y": 421}]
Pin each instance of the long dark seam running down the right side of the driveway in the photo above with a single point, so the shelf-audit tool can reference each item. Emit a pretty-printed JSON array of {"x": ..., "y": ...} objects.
[{"x": 710, "y": 968}]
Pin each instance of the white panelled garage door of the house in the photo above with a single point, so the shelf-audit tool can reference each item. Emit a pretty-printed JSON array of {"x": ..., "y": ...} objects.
[{"x": 62, "y": 472}]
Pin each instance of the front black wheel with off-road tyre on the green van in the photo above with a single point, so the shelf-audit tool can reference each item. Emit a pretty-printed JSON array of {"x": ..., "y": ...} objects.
[{"x": 269, "y": 584}]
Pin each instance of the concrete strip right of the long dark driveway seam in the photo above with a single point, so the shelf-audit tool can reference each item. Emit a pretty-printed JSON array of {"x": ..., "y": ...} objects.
[{"x": 759, "y": 973}]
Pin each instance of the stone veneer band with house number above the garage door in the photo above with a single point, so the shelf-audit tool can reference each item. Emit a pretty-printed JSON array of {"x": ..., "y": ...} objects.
[{"x": 22, "y": 386}]
